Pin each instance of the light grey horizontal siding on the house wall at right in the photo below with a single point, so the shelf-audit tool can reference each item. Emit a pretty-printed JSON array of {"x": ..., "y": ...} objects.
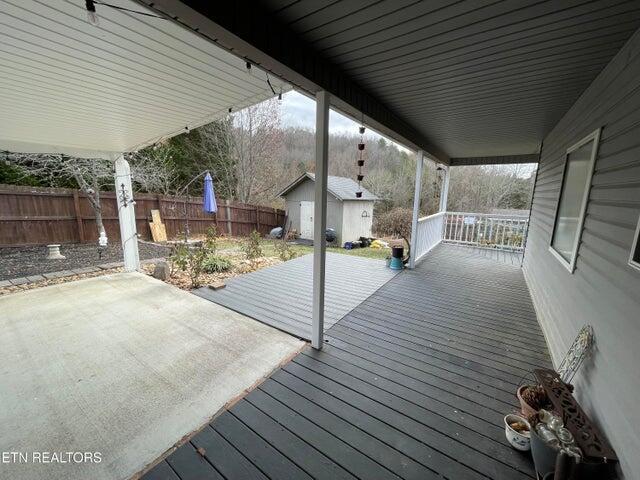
[{"x": 603, "y": 291}]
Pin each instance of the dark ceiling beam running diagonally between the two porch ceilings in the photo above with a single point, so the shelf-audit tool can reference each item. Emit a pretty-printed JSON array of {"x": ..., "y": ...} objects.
[{"x": 247, "y": 29}]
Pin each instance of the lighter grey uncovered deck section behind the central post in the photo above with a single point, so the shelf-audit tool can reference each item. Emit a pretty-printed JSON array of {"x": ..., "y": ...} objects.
[{"x": 281, "y": 296}]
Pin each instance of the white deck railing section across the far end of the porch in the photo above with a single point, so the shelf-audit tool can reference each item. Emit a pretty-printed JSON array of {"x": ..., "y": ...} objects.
[{"x": 505, "y": 232}]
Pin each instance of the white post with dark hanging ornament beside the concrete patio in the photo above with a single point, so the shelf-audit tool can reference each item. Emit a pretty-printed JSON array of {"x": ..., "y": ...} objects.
[{"x": 126, "y": 215}]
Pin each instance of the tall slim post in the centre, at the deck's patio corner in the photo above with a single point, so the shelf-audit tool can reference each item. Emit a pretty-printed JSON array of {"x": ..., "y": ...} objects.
[{"x": 320, "y": 217}]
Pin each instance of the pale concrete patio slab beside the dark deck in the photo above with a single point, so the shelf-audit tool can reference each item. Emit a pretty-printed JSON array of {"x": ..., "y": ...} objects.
[{"x": 123, "y": 365}]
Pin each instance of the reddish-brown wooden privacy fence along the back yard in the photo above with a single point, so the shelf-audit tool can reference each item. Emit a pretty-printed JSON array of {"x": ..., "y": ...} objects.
[{"x": 39, "y": 216}]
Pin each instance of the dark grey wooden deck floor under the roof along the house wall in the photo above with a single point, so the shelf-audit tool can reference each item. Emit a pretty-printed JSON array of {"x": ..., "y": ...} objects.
[{"x": 412, "y": 384}]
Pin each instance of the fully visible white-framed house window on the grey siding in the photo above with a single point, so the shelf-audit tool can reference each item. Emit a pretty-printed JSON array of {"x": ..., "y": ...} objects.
[{"x": 574, "y": 194}]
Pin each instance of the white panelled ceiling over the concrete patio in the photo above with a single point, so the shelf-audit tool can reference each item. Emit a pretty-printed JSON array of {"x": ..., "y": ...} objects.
[{"x": 71, "y": 87}]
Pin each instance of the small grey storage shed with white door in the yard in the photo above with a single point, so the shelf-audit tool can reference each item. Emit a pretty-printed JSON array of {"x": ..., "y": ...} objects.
[{"x": 351, "y": 217}]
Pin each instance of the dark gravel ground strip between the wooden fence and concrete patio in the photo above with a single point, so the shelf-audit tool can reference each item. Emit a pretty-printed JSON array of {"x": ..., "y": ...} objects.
[{"x": 24, "y": 261}]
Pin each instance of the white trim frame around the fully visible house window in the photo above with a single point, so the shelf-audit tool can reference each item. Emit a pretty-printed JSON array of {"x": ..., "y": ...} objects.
[{"x": 595, "y": 136}]
